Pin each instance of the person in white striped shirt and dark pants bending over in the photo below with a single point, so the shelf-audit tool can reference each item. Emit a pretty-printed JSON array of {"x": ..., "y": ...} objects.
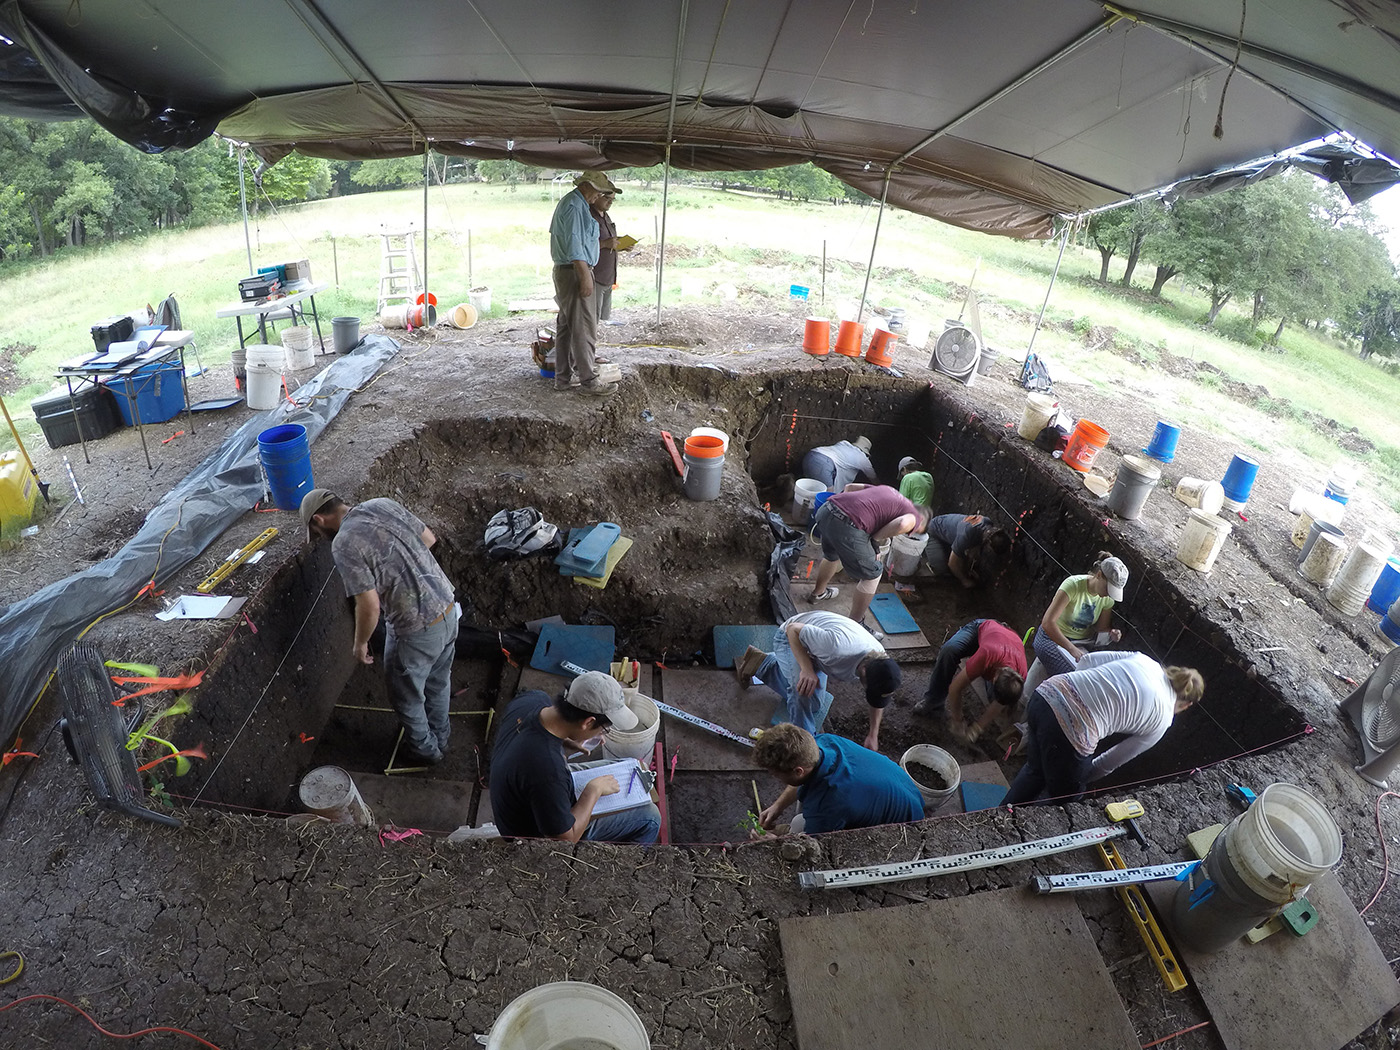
[{"x": 1109, "y": 694}]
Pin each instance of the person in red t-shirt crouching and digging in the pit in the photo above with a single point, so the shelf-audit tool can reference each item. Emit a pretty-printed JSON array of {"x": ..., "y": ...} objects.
[{"x": 993, "y": 653}]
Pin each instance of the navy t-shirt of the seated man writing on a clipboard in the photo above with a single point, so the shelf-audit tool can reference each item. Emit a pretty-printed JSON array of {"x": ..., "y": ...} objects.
[{"x": 533, "y": 794}]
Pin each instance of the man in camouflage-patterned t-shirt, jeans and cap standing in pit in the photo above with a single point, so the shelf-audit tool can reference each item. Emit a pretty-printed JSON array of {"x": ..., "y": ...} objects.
[{"x": 383, "y": 555}]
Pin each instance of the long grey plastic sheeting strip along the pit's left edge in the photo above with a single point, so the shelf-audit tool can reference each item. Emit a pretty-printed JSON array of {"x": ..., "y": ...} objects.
[{"x": 36, "y": 631}]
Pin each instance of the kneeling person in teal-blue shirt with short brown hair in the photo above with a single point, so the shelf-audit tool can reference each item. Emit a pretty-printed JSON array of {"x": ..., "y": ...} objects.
[{"x": 839, "y": 783}]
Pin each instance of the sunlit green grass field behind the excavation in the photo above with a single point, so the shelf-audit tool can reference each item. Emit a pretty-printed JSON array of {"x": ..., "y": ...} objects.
[{"x": 758, "y": 246}]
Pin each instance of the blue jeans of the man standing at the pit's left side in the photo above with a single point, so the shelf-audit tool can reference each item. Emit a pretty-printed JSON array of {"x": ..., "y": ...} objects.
[{"x": 419, "y": 674}]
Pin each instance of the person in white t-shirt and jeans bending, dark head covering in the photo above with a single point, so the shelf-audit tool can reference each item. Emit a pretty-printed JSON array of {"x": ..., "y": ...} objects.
[{"x": 807, "y": 649}]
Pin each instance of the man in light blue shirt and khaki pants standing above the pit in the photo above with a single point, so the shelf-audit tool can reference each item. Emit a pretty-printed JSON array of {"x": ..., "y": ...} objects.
[{"x": 573, "y": 246}]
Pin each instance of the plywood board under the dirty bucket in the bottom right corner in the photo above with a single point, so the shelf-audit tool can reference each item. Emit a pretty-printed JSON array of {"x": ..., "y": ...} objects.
[{"x": 1294, "y": 993}]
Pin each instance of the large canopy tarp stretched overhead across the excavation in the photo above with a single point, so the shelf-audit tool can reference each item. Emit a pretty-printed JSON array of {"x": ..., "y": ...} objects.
[{"x": 993, "y": 115}]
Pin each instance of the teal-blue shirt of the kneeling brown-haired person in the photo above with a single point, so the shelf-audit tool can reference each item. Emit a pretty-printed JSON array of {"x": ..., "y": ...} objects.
[{"x": 856, "y": 787}]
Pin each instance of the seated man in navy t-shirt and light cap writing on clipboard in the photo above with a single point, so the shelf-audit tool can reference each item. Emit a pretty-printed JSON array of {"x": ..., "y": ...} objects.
[{"x": 533, "y": 789}]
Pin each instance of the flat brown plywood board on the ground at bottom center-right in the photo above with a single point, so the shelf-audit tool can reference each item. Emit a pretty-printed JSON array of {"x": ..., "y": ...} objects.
[{"x": 983, "y": 972}]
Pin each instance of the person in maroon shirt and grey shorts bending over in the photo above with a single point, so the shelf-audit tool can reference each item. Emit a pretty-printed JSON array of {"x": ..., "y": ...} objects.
[{"x": 853, "y": 524}]
